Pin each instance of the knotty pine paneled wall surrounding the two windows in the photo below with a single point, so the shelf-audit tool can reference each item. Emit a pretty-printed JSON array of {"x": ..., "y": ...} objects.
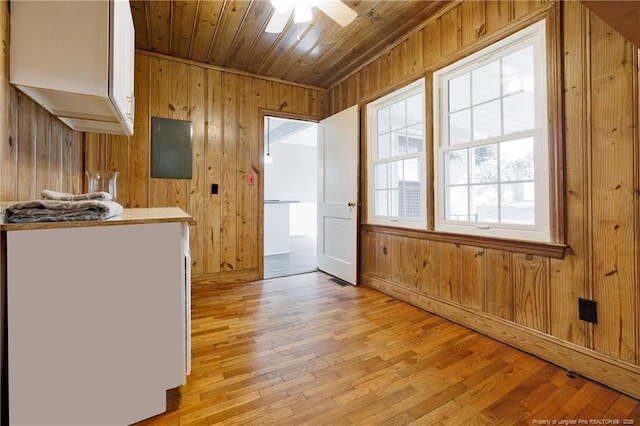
[{"x": 527, "y": 300}]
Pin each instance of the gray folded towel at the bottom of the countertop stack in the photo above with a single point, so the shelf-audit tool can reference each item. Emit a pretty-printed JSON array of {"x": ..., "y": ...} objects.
[{"x": 62, "y": 211}]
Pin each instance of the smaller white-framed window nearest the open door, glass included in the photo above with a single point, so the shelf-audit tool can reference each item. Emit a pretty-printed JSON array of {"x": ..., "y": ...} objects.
[{"x": 397, "y": 164}]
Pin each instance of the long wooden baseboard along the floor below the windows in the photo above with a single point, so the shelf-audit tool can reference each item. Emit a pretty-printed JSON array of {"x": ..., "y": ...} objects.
[{"x": 601, "y": 368}]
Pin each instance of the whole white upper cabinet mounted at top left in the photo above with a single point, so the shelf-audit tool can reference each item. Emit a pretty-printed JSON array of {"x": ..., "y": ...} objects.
[{"x": 76, "y": 59}]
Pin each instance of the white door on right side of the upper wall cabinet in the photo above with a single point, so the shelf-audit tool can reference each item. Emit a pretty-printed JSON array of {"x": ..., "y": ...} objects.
[{"x": 122, "y": 60}]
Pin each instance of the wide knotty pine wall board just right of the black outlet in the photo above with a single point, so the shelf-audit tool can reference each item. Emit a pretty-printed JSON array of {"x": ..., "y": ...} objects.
[{"x": 612, "y": 153}]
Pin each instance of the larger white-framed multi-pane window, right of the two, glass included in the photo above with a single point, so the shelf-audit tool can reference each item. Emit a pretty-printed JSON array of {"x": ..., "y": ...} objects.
[{"x": 491, "y": 152}]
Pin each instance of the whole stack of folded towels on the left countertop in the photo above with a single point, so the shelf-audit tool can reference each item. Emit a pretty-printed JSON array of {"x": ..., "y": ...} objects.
[{"x": 62, "y": 207}]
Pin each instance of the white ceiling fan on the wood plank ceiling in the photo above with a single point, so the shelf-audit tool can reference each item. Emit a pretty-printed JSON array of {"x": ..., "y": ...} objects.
[{"x": 335, "y": 9}]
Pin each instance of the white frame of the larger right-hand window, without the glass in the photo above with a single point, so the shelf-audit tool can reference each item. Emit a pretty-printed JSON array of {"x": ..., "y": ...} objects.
[{"x": 542, "y": 231}]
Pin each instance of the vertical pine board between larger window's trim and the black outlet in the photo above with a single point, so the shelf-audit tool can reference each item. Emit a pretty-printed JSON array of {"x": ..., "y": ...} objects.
[{"x": 569, "y": 275}]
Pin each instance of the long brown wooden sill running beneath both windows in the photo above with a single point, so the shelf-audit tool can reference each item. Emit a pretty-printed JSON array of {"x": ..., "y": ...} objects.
[{"x": 555, "y": 251}]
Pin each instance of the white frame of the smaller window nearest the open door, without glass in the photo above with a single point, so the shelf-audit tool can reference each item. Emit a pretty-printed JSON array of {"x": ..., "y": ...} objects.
[{"x": 407, "y": 91}]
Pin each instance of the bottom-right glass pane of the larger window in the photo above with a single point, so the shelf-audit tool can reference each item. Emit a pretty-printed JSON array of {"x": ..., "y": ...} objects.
[{"x": 518, "y": 203}]
